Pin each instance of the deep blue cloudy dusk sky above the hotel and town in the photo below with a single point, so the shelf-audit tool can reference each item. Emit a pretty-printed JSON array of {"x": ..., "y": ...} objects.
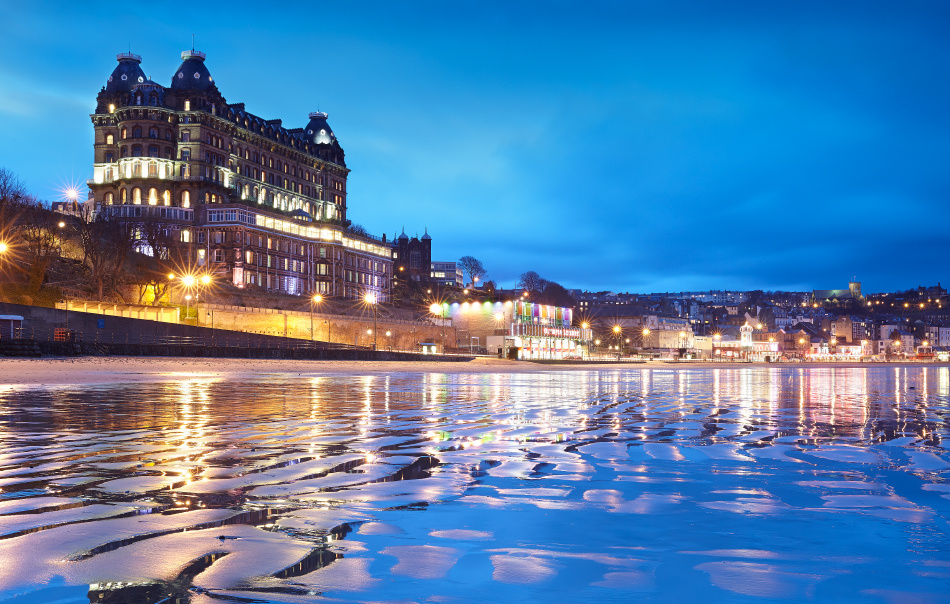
[{"x": 625, "y": 146}]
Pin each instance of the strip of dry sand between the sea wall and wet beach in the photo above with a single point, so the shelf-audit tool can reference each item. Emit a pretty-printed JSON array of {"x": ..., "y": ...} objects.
[{"x": 103, "y": 370}]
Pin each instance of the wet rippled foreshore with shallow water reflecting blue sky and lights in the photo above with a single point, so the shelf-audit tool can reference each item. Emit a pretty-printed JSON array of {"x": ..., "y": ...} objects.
[{"x": 716, "y": 485}]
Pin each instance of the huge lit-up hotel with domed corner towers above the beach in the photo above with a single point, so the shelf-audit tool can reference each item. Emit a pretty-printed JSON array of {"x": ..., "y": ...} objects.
[{"x": 242, "y": 197}]
